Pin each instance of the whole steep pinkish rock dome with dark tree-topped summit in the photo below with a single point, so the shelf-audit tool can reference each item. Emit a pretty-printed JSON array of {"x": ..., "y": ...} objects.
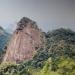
[{"x": 25, "y": 40}]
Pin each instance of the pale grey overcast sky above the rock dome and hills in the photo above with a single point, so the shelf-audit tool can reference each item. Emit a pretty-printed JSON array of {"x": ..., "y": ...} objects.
[{"x": 49, "y": 14}]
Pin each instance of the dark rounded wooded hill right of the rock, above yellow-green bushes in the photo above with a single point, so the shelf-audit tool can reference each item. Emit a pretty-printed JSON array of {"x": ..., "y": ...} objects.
[{"x": 61, "y": 42}]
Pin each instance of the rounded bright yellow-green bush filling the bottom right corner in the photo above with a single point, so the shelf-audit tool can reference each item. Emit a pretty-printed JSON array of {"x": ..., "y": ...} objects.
[{"x": 66, "y": 66}]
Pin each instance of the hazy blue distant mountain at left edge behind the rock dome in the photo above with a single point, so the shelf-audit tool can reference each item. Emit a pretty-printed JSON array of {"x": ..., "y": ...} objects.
[{"x": 4, "y": 38}]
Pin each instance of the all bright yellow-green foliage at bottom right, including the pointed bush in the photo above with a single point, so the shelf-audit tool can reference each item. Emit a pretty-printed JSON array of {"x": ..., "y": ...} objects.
[{"x": 66, "y": 66}]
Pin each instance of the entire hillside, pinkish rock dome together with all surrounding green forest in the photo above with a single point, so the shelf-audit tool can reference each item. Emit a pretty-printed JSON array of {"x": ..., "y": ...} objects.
[{"x": 33, "y": 52}]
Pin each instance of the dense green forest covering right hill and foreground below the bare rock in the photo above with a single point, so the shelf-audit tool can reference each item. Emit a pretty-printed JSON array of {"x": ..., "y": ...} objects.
[{"x": 56, "y": 57}]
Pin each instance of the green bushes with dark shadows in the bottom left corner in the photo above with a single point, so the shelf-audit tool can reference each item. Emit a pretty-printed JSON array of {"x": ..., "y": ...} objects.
[{"x": 13, "y": 69}]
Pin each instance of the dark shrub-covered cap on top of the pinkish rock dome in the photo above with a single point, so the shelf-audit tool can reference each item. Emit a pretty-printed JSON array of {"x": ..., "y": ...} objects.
[{"x": 24, "y": 22}]
